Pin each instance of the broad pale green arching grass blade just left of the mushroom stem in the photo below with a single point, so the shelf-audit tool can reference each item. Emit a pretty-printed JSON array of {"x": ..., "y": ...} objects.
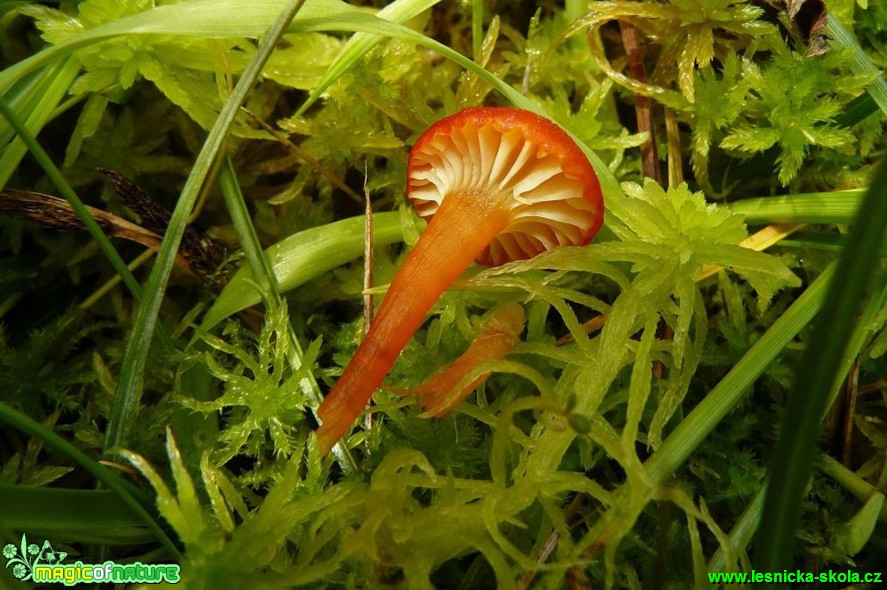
[{"x": 297, "y": 259}]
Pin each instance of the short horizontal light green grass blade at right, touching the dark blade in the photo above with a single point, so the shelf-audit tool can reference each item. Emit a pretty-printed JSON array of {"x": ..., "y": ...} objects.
[{"x": 836, "y": 207}]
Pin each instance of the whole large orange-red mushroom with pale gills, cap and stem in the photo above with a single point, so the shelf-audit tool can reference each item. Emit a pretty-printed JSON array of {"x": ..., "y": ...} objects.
[{"x": 497, "y": 184}]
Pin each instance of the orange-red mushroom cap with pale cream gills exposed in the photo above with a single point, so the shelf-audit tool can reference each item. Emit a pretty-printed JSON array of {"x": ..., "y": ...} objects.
[{"x": 555, "y": 197}]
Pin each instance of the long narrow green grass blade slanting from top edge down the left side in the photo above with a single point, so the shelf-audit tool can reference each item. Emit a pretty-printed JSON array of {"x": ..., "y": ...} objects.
[{"x": 130, "y": 382}]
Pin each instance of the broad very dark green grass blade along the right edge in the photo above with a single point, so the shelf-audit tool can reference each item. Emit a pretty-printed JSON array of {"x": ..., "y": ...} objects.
[{"x": 815, "y": 377}]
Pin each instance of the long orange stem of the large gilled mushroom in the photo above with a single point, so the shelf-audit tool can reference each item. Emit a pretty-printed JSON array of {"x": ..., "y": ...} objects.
[{"x": 464, "y": 225}]
